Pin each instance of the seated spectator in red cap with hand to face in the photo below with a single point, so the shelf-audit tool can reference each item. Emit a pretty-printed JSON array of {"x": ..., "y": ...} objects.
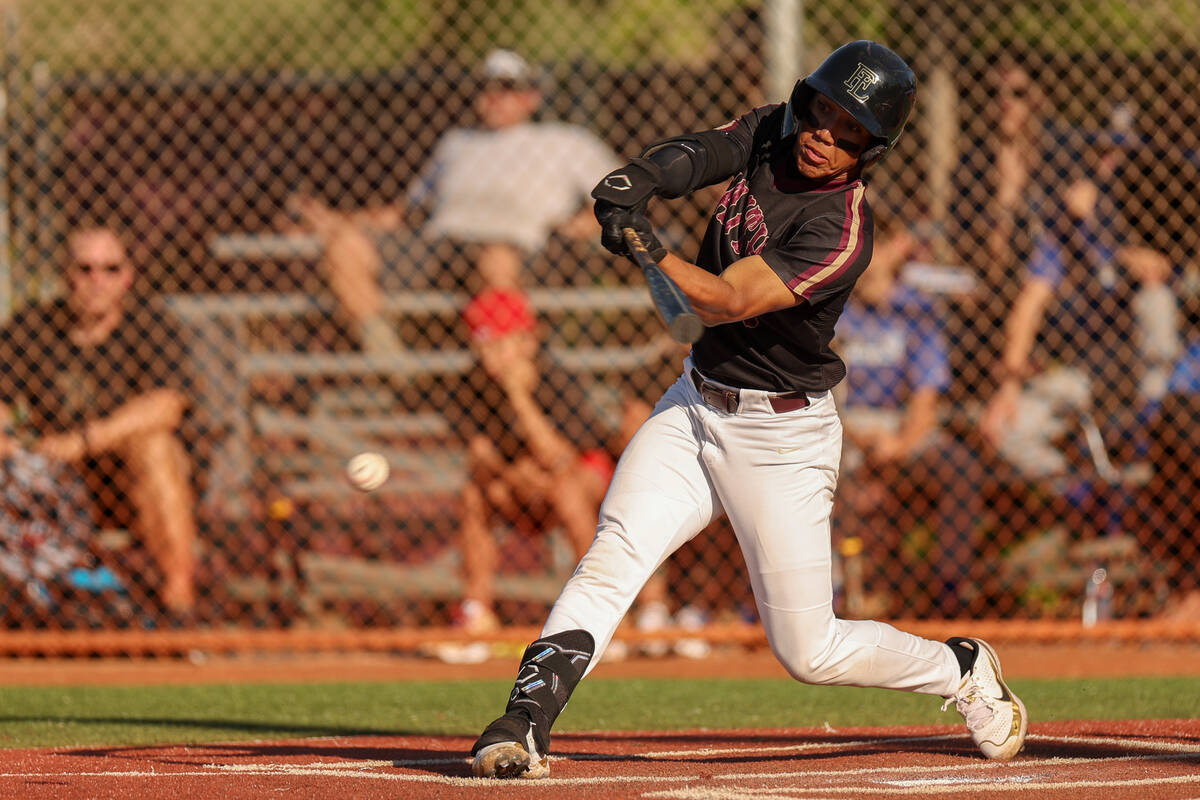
[{"x": 538, "y": 460}]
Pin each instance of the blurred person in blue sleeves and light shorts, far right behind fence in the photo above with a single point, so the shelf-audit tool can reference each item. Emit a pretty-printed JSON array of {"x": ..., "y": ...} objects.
[{"x": 1091, "y": 322}]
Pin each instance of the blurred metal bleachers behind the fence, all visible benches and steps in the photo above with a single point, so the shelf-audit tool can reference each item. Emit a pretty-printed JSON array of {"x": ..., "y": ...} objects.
[{"x": 278, "y": 448}]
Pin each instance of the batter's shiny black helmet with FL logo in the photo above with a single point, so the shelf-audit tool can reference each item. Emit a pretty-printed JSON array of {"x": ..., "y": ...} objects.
[{"x": 871, "y": 82}]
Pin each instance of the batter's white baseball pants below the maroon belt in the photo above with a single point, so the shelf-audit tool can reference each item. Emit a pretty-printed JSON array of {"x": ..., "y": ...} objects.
[{"x": 775, "y": 476}]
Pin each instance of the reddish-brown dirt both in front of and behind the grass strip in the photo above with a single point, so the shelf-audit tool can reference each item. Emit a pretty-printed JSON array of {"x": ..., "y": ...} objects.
[{"x": 1119, "y": 760}]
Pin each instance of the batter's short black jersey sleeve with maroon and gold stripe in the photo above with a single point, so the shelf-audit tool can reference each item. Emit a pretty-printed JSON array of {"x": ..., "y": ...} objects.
[{"x": 827, "y": 254}]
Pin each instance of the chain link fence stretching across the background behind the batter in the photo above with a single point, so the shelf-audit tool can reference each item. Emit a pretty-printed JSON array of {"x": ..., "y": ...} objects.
[{"x": 292, "y": 291}]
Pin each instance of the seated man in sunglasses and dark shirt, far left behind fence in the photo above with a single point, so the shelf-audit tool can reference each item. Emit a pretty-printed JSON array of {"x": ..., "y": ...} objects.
[{"x": 99, "y": 381}]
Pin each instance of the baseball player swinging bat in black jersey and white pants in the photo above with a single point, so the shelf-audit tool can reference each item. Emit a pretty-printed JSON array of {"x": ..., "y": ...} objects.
[{"x": 751, "y": 429}]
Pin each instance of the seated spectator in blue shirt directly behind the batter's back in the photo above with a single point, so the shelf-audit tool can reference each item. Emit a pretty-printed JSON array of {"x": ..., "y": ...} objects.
[{"x": 902, "y": 466}]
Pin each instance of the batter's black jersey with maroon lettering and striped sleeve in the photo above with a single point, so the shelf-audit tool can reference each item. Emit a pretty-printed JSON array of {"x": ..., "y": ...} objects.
[{"x": 817, "y": 237}]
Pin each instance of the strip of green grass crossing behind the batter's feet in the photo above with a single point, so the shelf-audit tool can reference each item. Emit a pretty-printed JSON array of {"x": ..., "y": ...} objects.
[{"x": 116, "y": 717}]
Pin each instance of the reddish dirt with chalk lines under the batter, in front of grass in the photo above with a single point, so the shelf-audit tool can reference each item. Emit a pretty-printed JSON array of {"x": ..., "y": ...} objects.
[{"x": 1135, "y": 760}]
